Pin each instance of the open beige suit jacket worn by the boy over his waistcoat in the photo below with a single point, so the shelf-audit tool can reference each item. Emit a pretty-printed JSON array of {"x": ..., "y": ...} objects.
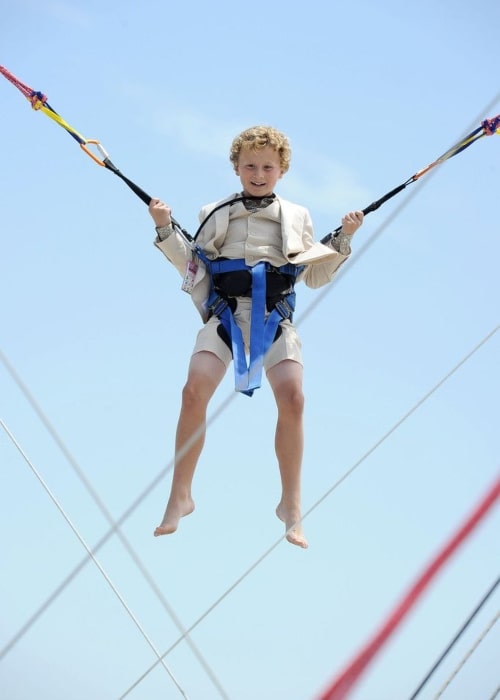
[{"x": 321, "y": 261}]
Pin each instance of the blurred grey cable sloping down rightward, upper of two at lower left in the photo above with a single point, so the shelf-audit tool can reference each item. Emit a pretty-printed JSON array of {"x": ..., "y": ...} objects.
[{"x": 107, "y": 515}]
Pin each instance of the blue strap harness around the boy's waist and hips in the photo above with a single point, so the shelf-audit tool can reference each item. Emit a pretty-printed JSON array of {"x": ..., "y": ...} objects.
[{"x": 263, "y": 330}]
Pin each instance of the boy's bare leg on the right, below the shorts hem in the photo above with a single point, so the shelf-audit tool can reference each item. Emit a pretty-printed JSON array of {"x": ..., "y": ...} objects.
[{"x": 285, "y": 379}]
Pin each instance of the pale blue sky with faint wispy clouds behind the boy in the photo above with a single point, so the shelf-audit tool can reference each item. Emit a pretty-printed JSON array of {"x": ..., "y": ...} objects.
[{"x": 97, "y": 331}]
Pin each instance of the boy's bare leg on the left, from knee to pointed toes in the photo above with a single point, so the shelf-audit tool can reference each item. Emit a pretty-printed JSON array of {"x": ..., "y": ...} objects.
[{"x": 205, "y": 374}]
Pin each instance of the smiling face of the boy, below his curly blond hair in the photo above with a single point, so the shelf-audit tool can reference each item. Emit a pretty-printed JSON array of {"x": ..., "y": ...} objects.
[{"x": 259, "y": 171}]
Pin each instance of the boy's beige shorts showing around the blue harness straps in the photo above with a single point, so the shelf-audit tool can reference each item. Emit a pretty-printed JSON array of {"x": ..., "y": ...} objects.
[{"x": 287, "y": 347}]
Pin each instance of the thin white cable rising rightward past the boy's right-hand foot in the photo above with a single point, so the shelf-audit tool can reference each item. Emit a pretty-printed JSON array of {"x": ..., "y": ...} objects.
[{"x": 343, "y": 478}]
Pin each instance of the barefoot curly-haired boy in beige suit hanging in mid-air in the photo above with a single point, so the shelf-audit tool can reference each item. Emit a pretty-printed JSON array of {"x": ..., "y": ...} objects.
[{"x": 252, "y": 228}]
